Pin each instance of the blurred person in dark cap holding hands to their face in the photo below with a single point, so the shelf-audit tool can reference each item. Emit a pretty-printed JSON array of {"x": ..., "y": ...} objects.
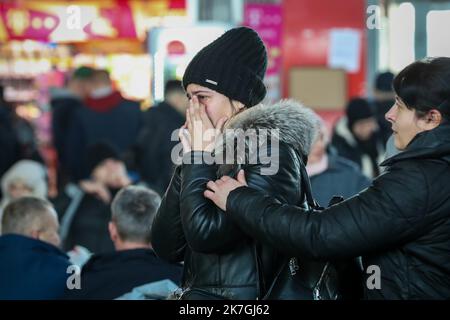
[{"x": 84, "y": 208}]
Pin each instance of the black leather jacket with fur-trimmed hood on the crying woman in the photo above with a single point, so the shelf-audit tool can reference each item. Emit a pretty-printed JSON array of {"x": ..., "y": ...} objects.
[{"x": 218, "y": 256}]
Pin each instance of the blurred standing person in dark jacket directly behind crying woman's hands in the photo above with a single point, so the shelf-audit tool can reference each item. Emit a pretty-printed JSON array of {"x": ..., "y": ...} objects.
[{"x": 154, "y": 145}]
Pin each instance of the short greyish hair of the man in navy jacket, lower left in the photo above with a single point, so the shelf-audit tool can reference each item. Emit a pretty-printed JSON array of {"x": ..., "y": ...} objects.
[{"x": 25, "y": 214}]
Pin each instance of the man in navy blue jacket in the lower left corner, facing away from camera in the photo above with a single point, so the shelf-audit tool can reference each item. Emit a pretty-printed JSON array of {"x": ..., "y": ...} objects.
[{"x": 31, "y": 265}]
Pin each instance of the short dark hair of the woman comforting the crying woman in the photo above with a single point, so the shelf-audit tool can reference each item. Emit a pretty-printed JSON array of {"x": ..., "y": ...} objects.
[{"x": 425, "y": 85}]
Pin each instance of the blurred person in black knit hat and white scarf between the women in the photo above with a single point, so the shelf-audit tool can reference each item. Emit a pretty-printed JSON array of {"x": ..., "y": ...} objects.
[{"x": 356, "y": 137}]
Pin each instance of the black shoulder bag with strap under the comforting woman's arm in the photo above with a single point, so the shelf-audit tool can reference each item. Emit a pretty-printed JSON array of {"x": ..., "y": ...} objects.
[{"x": 300, "y": 279}]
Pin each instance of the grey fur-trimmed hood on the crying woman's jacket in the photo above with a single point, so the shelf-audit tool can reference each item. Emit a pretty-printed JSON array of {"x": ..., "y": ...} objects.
[{"x": 287, "y": 122}]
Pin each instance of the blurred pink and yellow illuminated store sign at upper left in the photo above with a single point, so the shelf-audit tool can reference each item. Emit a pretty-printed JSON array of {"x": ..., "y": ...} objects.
[{"x": 73, "y": 21}]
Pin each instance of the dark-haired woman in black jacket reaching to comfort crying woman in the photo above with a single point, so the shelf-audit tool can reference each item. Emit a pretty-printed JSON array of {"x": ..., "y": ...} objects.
[{"x": 400, "y": 225}]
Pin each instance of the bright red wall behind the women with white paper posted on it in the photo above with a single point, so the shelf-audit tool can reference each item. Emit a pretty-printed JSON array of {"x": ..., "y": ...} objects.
[{"x": 310, "y": 48}]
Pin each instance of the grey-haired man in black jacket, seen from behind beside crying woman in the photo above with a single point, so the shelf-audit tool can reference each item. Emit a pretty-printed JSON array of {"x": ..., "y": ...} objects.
[{"x": 133, "y": 264}]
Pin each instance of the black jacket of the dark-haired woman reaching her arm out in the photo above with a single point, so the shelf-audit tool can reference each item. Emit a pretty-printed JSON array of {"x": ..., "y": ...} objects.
[{"x": 400, "y": 224}]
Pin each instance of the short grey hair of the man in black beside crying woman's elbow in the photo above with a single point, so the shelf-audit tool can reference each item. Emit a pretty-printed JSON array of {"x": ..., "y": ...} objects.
[{"x": 133, "y": 210}]
